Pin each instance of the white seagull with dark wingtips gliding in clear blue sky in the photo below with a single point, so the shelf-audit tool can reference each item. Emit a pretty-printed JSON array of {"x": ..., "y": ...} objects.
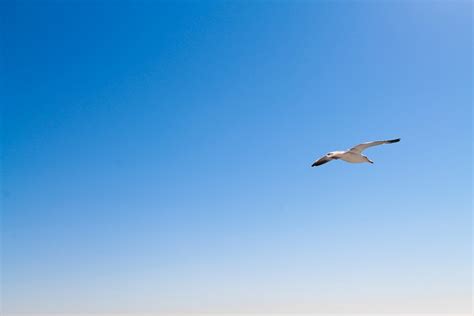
[{"x": 353, "y": 155}]
